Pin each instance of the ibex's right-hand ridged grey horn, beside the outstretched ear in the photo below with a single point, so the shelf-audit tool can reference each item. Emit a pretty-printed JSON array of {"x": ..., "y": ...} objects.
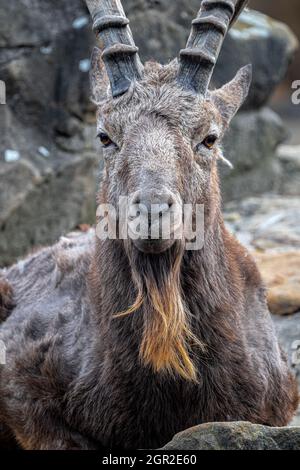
[{"x": 198, "y": 60}]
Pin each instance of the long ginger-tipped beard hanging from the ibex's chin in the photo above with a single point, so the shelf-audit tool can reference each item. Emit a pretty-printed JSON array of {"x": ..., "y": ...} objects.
[{"x": 167, "y": 340}]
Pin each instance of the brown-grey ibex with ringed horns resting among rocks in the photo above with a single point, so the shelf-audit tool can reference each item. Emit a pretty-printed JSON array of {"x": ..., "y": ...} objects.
[{"x": 123, "y": 343}]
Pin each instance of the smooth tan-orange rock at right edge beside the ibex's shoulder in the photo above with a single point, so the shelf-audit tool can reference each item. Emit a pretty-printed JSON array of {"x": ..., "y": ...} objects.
[{"x": 281, "y": 274}]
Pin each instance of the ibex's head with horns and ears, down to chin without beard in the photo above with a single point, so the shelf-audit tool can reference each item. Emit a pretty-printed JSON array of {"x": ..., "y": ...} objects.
[{"x": 160, "y": 127}]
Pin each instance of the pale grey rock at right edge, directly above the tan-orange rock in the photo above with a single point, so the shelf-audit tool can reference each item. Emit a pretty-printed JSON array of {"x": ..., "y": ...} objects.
[{"x": 266, "y": 223}]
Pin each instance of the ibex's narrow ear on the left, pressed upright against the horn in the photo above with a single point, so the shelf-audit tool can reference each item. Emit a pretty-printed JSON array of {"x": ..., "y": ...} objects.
[{"x": 98, "y": 78}]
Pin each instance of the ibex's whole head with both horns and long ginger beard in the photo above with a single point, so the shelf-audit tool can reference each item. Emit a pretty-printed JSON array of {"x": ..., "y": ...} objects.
[{"x": 161, "y": 130}]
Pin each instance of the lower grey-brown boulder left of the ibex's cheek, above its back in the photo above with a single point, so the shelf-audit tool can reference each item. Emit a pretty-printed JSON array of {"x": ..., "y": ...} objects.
[{"x": 38, "y": 204}]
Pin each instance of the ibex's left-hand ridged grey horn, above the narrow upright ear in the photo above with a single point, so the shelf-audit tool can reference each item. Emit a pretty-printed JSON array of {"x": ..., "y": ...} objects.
[{"x": 120, "y": 54}]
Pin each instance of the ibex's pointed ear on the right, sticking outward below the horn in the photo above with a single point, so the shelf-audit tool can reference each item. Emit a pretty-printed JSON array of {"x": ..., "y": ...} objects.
[{"x": 231, "y": 96}]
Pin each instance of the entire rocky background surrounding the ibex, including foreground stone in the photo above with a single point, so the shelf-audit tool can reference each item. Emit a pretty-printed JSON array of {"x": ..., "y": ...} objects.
[{"x": 50, "y": 163}]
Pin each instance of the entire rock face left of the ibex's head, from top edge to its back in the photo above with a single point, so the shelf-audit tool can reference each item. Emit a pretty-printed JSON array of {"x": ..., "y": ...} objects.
[{"x": 48, "y": 155}]
